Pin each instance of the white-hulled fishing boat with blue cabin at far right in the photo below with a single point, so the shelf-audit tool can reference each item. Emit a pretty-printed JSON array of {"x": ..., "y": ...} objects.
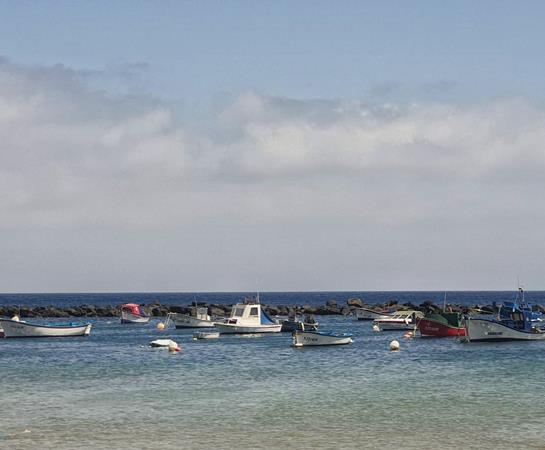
[{"x": 514, "y": 321}]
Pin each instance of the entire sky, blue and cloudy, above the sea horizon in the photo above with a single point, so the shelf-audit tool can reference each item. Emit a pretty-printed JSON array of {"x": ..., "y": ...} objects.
[{"x": 299, "y": 146}]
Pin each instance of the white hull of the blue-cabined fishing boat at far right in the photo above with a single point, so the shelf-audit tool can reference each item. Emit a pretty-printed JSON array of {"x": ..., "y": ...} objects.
[{"x": 478, "y": 330}]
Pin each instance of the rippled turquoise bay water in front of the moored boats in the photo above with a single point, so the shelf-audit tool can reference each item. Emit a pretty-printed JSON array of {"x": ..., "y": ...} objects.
[{"x": 110, "y": 391}]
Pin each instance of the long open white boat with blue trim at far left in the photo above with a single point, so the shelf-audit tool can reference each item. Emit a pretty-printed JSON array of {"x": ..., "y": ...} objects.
[{"x": 14, "y": 328}]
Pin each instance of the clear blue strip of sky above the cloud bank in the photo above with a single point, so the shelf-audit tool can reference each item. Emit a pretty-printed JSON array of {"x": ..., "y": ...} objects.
[{"x": 194, "y": 50}]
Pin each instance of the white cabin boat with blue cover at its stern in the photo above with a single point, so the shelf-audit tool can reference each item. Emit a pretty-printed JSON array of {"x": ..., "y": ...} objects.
[{"x": 248, "y": 317}]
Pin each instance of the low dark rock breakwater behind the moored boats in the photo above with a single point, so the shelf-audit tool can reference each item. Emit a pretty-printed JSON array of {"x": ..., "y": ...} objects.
[{"x": 157, "y": 309}]
